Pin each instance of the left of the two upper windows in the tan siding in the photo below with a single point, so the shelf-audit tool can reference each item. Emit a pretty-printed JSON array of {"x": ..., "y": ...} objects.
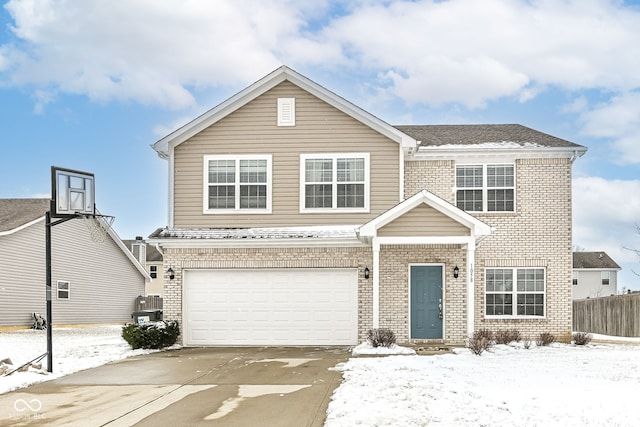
[{"x": 237, "y": 184}]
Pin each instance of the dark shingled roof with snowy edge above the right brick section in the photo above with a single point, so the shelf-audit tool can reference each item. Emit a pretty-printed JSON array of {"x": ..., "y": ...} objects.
[{"x": 505, "y": 135}]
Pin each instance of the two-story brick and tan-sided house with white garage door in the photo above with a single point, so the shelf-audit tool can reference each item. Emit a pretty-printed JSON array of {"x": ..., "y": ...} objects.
[{"x": 297, "y": 218}]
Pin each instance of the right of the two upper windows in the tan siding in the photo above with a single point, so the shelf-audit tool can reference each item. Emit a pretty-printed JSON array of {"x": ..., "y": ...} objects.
[{"x": 338, "y": 182}]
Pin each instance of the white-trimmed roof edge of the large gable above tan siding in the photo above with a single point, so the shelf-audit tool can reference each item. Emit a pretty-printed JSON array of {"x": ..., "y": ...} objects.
[{"x": 163, "y": 146}]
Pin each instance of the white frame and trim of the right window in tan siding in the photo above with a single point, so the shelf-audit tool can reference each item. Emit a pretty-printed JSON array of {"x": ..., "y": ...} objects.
[{"x": 334, "y": 181}]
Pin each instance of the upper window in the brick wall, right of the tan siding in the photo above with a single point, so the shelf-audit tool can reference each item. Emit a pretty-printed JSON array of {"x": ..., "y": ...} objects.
[{"x": 485, "y": 188}]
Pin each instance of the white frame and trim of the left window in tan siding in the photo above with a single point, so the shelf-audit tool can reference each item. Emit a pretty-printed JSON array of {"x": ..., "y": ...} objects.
[{"x": 237, "y": 210}]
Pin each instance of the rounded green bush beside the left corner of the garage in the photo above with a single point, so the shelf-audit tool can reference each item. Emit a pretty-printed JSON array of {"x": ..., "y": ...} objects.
[{"x": 153, "y": 335}]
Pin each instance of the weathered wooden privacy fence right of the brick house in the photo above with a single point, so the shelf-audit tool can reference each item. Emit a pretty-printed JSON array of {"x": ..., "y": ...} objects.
[{"x": 618, "y": 315}]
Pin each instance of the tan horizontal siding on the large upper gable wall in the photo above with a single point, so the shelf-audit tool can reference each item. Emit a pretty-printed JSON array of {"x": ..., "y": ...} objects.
[{"x": 252, "y": 129}]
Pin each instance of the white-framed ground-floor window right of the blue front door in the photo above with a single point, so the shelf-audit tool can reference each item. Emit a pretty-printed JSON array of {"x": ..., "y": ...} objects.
[{"x": 515, "y": 292}]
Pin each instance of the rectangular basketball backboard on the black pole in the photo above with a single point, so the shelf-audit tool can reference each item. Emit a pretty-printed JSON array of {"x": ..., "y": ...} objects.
[{"x": 72, "y": 193}]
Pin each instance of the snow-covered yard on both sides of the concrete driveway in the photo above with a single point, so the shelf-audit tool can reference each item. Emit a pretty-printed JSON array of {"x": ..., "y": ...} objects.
[{"x": 562, "y": 384}]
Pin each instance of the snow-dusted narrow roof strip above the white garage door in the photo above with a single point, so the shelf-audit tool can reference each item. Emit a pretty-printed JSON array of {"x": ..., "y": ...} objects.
[{"x": 309, "y": 232}]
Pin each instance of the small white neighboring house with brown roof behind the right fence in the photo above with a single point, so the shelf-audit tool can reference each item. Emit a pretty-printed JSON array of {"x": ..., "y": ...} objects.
[{"x": 595, "y": 274}]
